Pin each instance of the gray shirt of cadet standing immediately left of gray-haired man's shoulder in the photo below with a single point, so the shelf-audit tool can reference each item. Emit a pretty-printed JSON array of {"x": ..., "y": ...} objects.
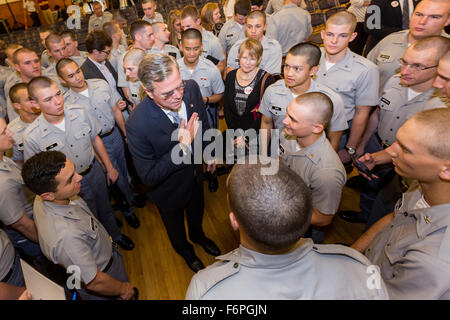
[{"x": 100, "y": 102}]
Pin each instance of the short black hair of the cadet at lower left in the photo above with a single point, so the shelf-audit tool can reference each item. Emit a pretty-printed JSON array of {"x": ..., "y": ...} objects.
[{"x": 39, "y": 172}]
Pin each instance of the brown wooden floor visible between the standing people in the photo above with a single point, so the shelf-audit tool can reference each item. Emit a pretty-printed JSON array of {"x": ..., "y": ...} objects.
[{"x": 160, "y": 273}]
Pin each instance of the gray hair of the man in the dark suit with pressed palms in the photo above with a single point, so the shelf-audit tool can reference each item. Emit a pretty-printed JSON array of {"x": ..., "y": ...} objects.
[{"x": 155, "y": 67}]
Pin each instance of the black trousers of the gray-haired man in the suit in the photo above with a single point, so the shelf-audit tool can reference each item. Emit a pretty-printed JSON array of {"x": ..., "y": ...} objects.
[{"x": 173, "y": 220}]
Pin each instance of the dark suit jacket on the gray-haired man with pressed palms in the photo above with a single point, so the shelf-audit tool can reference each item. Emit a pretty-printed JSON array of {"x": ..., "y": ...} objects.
[{"x": 149, "y": 132}]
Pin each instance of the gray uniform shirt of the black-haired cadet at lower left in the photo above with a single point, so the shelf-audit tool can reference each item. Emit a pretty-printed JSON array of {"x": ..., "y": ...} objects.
[{"x": 71, "y": 235}]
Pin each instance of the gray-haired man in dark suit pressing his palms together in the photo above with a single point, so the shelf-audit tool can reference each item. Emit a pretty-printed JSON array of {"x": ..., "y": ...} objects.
[{"x": 176, "y": 187}]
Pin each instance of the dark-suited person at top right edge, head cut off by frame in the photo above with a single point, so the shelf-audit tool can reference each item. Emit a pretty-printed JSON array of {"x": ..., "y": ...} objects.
[{"x": 391, "y": 20}]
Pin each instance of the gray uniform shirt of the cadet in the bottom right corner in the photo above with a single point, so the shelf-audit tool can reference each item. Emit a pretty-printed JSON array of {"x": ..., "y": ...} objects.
[{"x": 413, "y": 252}]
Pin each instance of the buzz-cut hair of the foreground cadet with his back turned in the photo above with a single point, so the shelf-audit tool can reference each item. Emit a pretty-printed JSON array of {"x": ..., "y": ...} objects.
[{"x": 273, "y": 210}]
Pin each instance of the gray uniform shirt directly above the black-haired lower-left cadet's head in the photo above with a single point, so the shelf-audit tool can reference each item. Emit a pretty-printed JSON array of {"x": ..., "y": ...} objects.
[{"x": 75, "y": 142}]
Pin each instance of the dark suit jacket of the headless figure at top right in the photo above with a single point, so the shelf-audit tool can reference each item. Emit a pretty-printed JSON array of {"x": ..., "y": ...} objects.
[{"x": 391, "y": 21}]
